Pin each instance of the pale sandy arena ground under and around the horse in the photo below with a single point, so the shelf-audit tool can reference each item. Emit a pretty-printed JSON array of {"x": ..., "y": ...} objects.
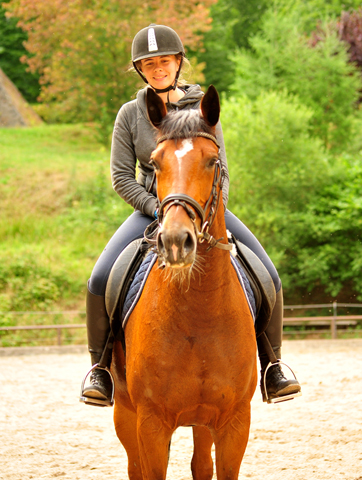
[{"x": 46, "y": 433}]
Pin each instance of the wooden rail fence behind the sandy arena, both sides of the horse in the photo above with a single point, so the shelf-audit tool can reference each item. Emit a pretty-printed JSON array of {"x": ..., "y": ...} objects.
[{"x": 333, "y": 320}]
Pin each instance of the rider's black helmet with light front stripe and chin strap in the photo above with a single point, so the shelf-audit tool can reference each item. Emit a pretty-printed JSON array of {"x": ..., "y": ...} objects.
[{"x": 154, "y": 41}]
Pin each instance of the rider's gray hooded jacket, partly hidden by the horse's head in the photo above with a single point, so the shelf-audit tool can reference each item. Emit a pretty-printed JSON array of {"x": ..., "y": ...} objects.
[{"x": 134, "y": 138}]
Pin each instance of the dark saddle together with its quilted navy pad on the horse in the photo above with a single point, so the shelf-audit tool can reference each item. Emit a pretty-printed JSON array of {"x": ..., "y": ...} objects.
[{"x": 130, "y": 271}]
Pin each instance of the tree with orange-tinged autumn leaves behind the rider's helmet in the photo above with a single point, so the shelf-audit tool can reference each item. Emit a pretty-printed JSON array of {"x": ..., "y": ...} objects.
[{"x": 81, "y": 49}]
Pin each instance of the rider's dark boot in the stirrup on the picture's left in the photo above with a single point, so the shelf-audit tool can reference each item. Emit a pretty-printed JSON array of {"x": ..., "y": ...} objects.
[{"x": 99, "y": 393}]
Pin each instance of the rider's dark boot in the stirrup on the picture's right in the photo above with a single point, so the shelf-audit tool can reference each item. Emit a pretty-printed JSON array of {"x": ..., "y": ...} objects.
[{"x": 278, "y": 387}]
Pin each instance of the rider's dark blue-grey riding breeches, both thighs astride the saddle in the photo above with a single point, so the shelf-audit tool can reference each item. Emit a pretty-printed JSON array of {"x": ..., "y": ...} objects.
[{"x": 134, "y": 228}]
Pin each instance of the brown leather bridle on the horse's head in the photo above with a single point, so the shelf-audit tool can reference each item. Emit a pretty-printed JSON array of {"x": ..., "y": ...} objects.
[{"x": 190, "y": 205}]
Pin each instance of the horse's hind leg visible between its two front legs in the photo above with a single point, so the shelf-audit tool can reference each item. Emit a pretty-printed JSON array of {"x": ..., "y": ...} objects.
[{"x": 202, "y": 466}]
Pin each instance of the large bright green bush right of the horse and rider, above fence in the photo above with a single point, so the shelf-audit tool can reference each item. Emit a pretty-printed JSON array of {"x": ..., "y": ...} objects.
[{"x": 302, "y": 204}]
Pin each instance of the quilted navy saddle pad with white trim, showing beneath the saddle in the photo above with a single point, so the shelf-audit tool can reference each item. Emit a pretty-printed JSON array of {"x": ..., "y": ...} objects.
[{"x": 139, "y": 281}]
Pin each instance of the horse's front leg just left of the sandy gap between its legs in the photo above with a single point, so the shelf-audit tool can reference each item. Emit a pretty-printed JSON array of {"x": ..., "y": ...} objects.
[{"x": 154, "y": 438}]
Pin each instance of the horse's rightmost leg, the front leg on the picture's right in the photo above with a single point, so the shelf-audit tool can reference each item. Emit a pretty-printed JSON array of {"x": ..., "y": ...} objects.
[{"x": 230, "y": 444}]
